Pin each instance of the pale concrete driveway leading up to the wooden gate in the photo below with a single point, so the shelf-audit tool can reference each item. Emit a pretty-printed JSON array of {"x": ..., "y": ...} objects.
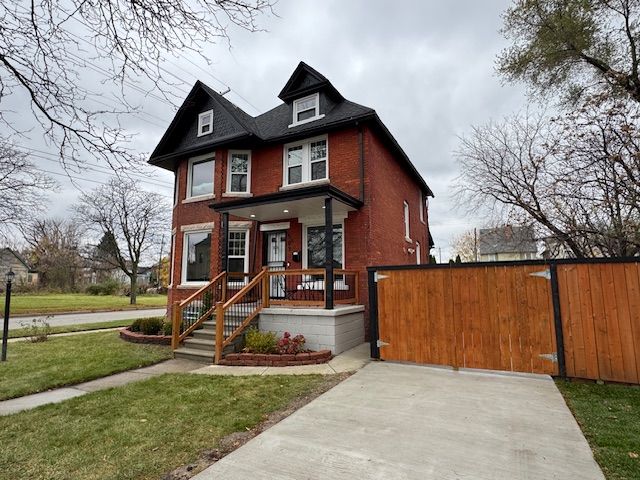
[{"x": 391, "y": 421}]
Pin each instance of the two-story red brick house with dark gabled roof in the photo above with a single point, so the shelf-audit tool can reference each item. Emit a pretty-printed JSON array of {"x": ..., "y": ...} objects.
[{"x": 266, "y": 191}]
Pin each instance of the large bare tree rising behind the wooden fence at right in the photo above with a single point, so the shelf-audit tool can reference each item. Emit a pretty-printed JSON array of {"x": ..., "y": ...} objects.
[{"x": 575, "y": 176}]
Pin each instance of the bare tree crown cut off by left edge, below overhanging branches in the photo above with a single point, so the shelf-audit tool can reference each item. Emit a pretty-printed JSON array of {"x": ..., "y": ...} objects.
[{"x": 23, "y": 189}]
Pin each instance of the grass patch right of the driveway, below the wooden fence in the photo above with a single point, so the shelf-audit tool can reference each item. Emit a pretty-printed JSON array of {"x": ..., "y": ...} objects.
[{"x": 609, "y": 416}]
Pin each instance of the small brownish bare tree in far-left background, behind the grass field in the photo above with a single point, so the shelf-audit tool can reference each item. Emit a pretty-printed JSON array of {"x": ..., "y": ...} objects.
[{"x": 54, "y": 249}]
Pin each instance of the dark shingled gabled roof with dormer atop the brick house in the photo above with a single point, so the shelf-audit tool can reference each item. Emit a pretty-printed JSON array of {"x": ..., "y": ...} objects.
[{"x": 232, "y": 124}]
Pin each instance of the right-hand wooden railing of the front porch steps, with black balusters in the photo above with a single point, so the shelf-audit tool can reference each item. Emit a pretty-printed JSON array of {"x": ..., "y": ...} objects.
[{"x": 235, "y": 315}]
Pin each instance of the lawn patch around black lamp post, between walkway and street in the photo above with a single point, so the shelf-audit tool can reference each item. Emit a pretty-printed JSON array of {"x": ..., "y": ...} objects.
[{"x": 34, "y": 367}]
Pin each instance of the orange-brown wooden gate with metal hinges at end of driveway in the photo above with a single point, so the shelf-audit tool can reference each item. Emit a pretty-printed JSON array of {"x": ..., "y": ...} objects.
[{"x": 491, "y": 317}]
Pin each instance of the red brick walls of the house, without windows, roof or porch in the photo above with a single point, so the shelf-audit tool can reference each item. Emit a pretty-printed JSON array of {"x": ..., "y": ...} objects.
[{"x": 373, "y": 235}]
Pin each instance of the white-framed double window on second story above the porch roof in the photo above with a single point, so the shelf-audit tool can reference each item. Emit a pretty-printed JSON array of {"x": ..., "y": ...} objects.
[{"x": 306, "y": 161}]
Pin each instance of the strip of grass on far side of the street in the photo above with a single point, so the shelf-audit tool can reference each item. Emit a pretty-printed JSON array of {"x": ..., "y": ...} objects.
[{"x": 78, "y": 302}]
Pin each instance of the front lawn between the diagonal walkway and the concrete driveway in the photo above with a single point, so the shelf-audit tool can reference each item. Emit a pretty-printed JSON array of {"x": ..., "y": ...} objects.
[{"x": 141, "y": 430}]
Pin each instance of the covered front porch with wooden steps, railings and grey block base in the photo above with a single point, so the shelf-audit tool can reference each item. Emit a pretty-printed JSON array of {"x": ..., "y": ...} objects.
[{"x": 281, "y": 233}]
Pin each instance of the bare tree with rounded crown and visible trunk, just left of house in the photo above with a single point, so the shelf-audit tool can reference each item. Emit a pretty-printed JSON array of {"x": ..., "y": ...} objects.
[{"x": 132, "y": 220}]
